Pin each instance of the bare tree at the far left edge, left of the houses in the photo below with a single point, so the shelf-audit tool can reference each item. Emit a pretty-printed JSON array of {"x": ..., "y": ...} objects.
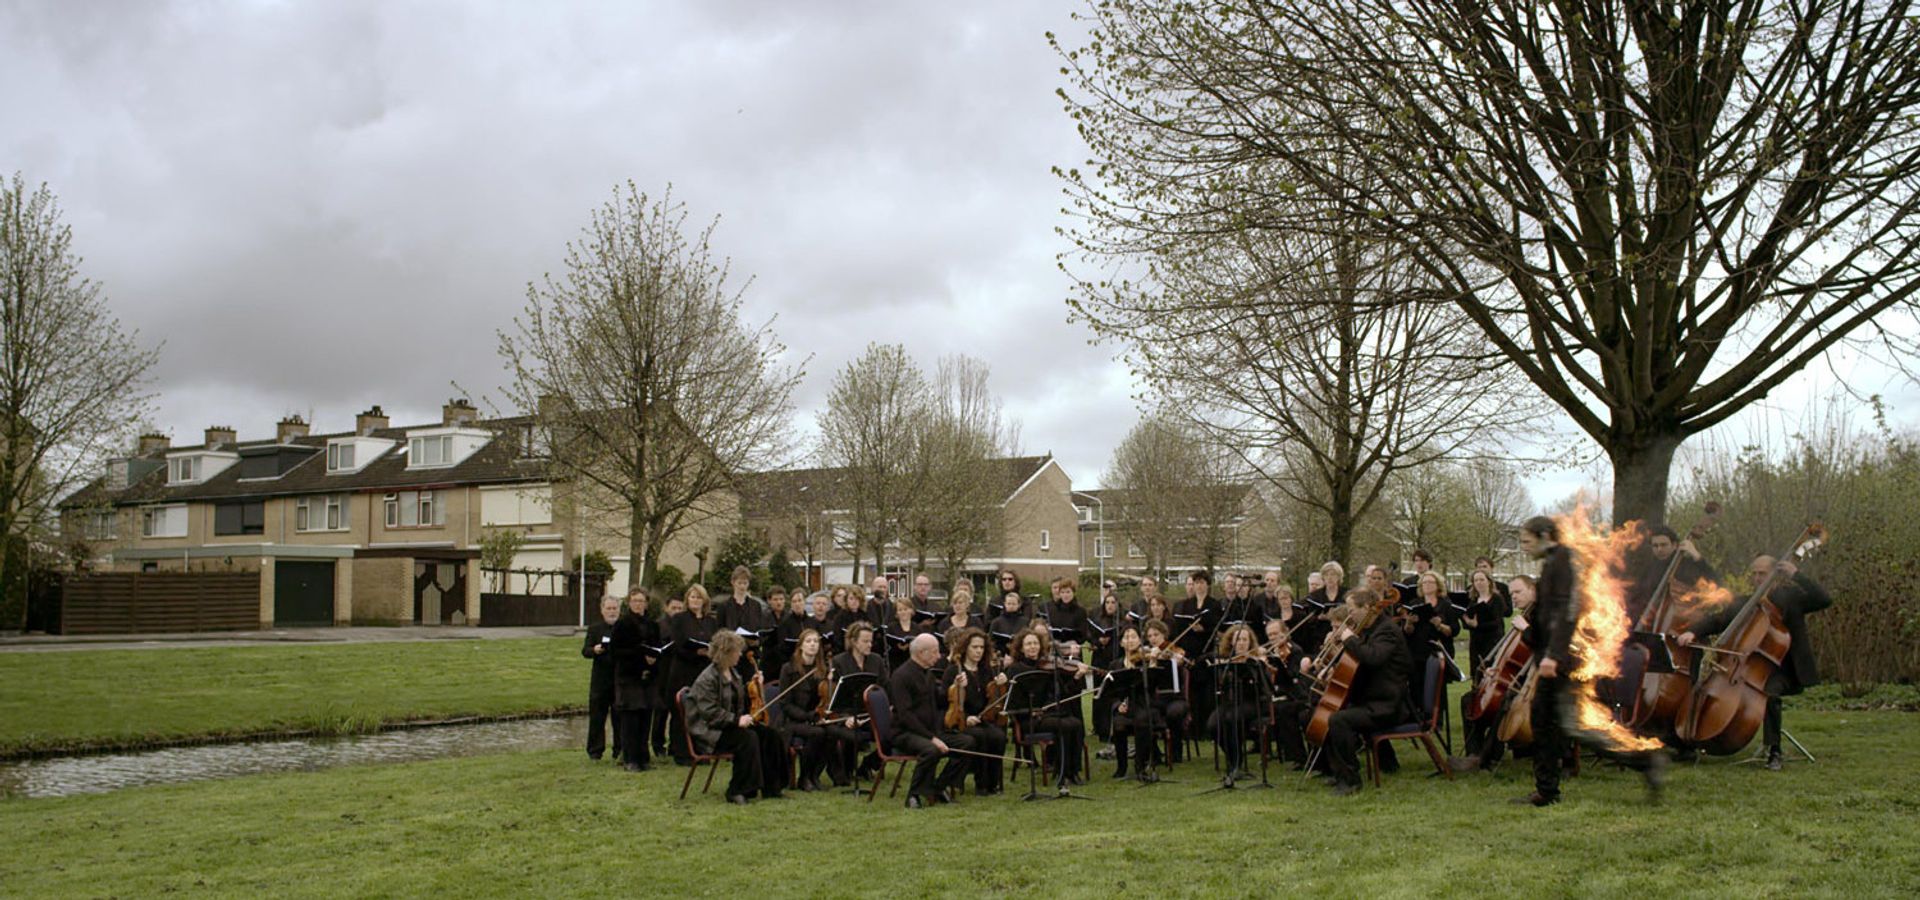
[{"x": 74, "y": 385}]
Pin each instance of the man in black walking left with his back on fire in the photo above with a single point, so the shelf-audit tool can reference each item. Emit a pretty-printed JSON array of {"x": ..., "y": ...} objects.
[{"x": 1577, "y": 632}]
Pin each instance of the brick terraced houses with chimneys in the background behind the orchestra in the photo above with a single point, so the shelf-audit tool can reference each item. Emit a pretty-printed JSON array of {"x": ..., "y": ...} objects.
[{"x": 383, "y": 525}]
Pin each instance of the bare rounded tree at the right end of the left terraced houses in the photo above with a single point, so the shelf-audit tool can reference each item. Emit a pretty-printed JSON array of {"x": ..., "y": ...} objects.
[{"x": 650, "y": 385}]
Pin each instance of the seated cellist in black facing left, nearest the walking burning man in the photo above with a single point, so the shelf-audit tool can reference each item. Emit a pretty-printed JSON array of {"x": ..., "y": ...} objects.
[{"x": 1380, "y": 694}]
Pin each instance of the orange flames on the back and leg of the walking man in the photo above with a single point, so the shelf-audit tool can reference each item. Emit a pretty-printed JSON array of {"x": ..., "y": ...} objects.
[{"x": 1602, "y": 628}]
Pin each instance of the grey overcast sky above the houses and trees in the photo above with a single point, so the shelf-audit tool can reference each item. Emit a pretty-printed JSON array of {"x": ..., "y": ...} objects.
[{"x": 331, "y": 204}]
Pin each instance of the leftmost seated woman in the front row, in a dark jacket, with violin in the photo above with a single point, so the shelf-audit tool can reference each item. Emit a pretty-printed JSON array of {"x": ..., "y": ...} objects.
[{"x": 719, "y": 722}]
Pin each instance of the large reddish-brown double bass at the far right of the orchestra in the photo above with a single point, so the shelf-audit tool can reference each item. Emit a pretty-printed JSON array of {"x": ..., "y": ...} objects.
[{"x": 1729, "y": 698}]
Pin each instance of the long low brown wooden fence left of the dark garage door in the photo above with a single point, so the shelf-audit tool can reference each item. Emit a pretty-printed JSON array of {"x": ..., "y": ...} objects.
[{"x": 160, "y": 602}]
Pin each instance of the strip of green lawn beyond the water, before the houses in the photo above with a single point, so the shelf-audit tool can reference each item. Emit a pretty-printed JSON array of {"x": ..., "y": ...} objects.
[{"x": 78, "y": 699}]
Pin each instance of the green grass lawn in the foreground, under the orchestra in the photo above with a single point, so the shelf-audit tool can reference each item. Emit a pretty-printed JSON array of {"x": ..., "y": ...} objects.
[{"x": 554, "y": 824}]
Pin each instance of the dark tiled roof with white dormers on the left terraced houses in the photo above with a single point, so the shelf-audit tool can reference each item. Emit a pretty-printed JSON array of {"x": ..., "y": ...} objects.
[{"x": 494, "y": 463}]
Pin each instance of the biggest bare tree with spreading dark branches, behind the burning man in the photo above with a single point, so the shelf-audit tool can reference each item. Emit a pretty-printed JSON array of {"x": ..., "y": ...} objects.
[{"x": 1656, "y": 210}]
